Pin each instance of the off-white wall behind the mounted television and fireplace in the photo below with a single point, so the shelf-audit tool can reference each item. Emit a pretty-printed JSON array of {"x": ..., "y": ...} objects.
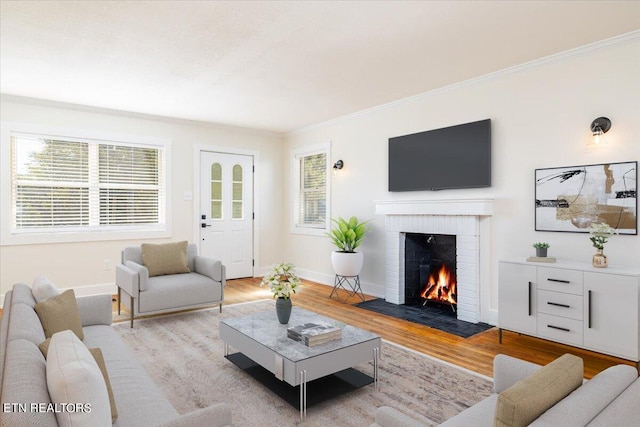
[{"x": 540, "y": 115}]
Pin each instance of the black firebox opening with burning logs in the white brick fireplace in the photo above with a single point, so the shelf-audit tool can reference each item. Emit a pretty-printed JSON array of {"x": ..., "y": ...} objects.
[{"x": 430, "y": 270}]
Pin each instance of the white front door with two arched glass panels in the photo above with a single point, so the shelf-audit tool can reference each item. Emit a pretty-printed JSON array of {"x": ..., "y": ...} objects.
[{"x": 226, "y": 211}]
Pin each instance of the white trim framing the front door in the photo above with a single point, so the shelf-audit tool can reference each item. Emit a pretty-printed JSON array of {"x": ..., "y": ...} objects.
[{"x": 197, "y": 150}]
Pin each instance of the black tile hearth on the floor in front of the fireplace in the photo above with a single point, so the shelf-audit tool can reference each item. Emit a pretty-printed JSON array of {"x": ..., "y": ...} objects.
[{"x": 437, "y": 316}]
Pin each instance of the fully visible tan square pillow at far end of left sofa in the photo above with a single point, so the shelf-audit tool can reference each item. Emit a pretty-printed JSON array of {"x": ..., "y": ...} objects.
[{"x": 59, "y": 314}]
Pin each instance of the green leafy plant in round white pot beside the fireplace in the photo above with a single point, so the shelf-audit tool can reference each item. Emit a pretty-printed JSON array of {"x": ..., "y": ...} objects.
[{"x": 347, "y": 236}]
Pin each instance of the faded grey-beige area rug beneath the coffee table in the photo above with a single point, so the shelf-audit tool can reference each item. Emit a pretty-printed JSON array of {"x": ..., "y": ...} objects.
[{"x": 184, "y": 356}]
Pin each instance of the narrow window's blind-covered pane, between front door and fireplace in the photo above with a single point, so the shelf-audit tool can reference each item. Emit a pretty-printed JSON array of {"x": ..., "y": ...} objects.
[{"x": 311, "y": 198}]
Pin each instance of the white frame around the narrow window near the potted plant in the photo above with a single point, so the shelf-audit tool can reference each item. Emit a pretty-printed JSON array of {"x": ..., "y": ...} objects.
[{"x": 295, "y": 157}]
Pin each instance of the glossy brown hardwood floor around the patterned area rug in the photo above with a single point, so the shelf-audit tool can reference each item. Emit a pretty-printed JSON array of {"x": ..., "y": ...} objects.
[{"x": 475, "y": 353}]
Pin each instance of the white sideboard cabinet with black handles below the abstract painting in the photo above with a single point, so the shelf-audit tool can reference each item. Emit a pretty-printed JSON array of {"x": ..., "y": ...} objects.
[{"x": 572, "y": 303}]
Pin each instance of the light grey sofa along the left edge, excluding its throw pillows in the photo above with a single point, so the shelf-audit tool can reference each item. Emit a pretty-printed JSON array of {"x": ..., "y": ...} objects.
[{"x": 23, "y": 375}]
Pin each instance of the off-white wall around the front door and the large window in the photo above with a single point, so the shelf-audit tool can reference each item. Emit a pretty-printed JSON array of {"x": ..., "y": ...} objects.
[{"x": 80, "y": 265}]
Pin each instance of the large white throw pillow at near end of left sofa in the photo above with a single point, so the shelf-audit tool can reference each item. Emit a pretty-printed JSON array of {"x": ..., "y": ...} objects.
[{"x": 74, "y": 378}]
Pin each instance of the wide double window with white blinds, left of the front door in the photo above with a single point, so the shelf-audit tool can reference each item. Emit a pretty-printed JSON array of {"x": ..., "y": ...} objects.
[{"x": 69, "y": 185}]
